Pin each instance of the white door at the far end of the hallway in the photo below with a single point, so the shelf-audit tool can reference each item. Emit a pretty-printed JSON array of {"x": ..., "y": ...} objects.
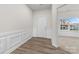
[{"x": 42, "y": 27}]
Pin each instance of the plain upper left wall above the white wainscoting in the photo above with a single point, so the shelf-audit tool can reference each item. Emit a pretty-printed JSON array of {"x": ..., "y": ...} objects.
[{"x": 15, "y": 17}]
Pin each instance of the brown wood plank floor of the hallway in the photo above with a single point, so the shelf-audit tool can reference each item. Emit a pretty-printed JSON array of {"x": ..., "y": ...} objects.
[{"x": 37, "y": 45}]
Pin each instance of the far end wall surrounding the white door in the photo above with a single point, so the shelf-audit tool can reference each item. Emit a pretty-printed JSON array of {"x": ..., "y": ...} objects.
[{"x": 39, "y": 14}]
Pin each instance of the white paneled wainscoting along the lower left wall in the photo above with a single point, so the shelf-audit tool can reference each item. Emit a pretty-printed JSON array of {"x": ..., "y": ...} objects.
[{"x": 9, "y": 41}]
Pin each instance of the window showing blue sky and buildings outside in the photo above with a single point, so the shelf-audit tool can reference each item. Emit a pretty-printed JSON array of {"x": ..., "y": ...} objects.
[{"x": 70, "y": 23}]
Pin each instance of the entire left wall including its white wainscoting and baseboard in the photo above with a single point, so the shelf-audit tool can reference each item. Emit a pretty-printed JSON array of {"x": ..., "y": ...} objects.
[{"x": 16, "y": 26}]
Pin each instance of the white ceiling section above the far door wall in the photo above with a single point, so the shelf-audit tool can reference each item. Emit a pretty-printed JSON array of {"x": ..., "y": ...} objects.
[{"x": 39, "y": 6}]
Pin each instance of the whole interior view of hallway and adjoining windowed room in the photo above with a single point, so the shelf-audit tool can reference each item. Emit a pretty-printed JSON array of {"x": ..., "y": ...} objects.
[{"x": 29, "y": 25}]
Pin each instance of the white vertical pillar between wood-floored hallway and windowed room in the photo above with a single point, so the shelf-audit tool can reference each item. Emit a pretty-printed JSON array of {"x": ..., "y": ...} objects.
[{"x": 55, "y": 25}]
